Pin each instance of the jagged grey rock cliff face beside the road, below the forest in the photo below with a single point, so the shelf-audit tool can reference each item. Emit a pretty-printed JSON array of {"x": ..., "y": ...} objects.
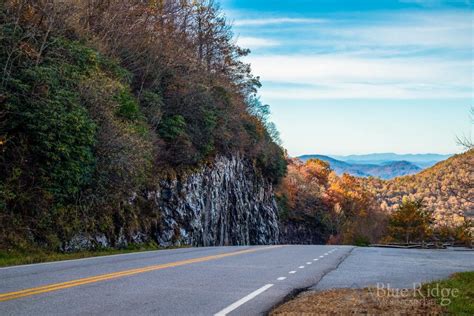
[{"x": 225, "y": 203}]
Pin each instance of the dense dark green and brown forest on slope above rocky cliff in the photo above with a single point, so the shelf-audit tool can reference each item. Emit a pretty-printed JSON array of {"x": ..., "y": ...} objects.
[{"x": 100, "y": 99}]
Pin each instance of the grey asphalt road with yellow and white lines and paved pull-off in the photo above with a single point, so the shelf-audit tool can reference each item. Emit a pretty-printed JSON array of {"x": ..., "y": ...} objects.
[{"x": 198, "y": 281}]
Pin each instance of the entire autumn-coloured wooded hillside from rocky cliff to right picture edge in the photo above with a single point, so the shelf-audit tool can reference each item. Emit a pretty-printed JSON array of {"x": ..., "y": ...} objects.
[{"x": 318, "y": 205}]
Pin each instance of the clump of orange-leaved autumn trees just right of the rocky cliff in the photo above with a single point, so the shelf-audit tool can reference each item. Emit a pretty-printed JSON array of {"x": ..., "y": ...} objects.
[{"x": 338, "y": 209}]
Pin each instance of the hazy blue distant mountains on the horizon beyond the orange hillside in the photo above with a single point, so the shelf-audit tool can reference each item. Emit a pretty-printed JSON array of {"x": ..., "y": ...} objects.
[{"x": 383, "y": 170}]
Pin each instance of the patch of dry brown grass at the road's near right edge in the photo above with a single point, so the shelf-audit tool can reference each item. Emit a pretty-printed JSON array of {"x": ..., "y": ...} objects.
[{"x": 358, "y": 302}]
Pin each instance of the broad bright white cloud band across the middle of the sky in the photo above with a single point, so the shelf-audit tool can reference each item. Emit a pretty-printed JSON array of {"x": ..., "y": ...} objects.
[{"x": 328, "y": 68}]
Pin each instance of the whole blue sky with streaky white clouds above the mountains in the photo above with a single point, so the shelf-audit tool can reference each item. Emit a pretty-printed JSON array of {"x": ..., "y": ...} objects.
[{"x": 361, "y": 76}]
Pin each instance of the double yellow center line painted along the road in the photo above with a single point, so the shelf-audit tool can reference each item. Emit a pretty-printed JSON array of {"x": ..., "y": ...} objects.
[{"x": 103, "y": 277}]
